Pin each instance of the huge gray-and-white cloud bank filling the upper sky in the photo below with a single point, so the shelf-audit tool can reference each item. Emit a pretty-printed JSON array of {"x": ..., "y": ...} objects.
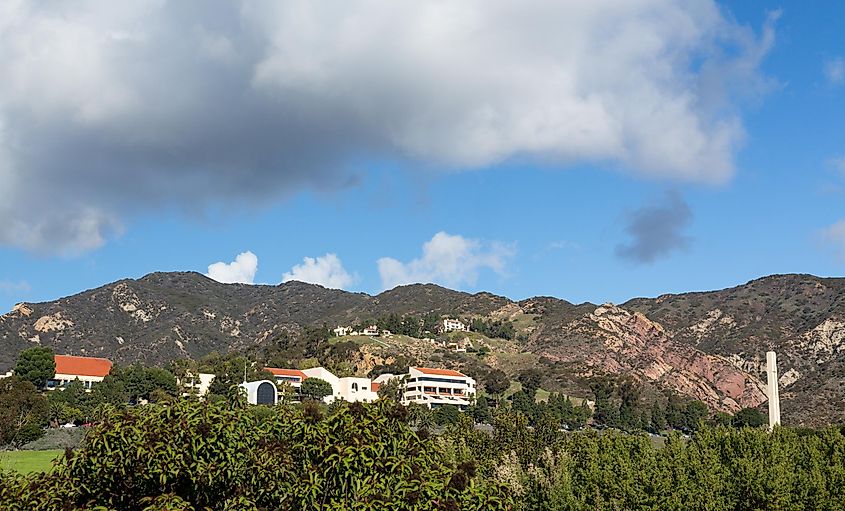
[{"x": 113, "y": 109}]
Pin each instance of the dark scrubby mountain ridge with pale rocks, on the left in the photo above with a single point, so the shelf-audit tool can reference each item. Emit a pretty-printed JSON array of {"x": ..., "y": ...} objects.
[{"x": 164, "y": 316}]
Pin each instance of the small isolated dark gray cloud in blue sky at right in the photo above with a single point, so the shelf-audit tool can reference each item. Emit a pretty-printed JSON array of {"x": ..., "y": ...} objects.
[{"x": 656, "y": 230}]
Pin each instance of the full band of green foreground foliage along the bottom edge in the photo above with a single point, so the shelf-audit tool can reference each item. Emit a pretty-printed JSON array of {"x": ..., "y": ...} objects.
[{"x": 224, "y": 455}]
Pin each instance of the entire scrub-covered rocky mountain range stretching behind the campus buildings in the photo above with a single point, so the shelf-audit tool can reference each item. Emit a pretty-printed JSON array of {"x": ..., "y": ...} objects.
[{"x": 710, "y": 346}]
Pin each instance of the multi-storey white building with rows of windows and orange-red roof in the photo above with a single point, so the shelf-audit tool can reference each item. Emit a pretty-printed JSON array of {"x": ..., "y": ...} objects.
[{"x": 434, "y": 387}]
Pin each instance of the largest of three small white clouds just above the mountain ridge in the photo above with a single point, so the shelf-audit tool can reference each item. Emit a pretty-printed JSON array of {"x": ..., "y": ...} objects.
[{"x": 449, "y": 260}]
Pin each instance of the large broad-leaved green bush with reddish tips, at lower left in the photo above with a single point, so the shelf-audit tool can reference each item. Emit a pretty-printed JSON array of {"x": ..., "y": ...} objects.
[{"x": 202, "y": 456}]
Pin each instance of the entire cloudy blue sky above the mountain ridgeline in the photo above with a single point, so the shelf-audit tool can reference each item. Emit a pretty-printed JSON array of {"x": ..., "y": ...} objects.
[{"x": 113, "y": 176}]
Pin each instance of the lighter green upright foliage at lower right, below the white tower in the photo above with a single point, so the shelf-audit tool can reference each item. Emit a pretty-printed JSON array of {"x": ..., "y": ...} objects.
[{"x": 717, "y": 469}]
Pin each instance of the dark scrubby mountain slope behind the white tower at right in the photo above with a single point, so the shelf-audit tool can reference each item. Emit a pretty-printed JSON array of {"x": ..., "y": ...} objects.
[{"x": 802, "y": 317}]
